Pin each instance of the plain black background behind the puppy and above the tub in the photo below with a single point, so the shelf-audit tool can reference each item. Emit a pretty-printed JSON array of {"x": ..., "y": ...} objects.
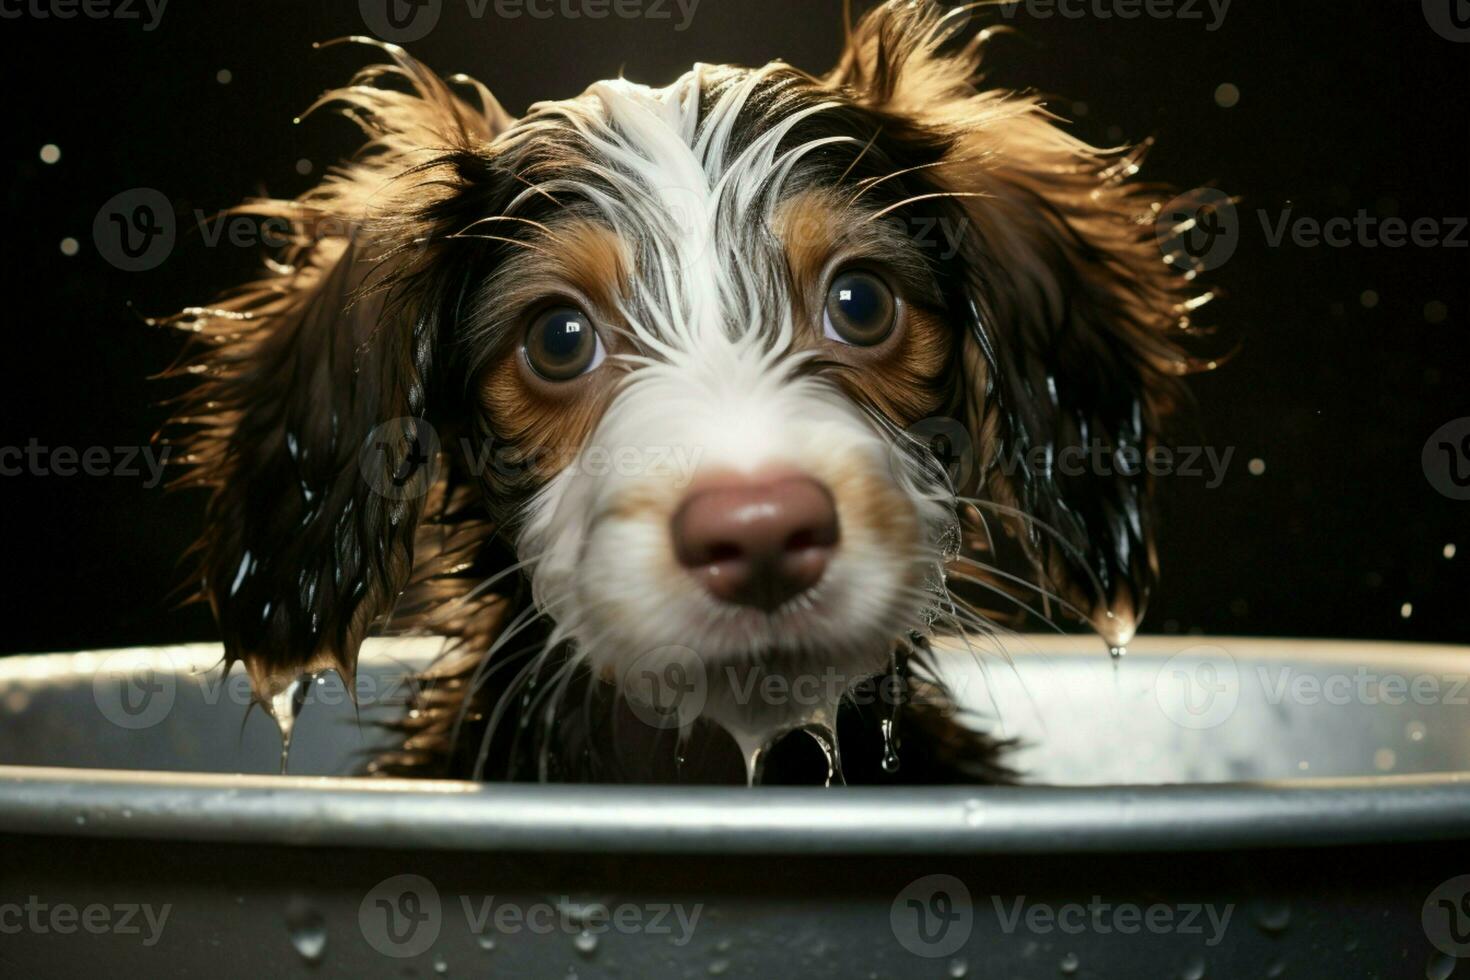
[{"x": 1344, "y": 107}]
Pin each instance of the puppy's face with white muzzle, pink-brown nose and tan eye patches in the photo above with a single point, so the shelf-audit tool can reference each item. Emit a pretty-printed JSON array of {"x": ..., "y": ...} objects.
[{"x": 708, "y": 352}]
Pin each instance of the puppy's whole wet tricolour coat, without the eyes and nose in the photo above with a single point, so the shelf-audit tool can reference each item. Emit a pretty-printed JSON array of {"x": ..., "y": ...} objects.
[{"x": 699, "y": 228}]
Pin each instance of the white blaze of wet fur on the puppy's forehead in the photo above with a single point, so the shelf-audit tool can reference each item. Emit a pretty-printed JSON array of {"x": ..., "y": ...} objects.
[{"x": 698, "y": 218}]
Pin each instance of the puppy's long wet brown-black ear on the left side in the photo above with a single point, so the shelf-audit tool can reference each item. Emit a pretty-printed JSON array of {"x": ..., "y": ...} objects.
[{"x": 318, "y": 387}]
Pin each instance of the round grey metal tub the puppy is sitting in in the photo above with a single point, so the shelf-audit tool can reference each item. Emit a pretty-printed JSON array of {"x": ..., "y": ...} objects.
[{"x": 1200, "y": 809}]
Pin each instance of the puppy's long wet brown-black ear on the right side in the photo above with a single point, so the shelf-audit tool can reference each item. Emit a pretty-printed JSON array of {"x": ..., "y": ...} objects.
[{"x": 1074, "y": 321}]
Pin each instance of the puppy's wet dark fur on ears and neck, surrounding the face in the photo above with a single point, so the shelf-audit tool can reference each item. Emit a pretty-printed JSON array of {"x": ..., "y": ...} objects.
[{"x": 1064, "y": 325}]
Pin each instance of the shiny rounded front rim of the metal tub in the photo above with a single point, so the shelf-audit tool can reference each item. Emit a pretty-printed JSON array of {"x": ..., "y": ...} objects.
[{"x": 461, "y": 816}]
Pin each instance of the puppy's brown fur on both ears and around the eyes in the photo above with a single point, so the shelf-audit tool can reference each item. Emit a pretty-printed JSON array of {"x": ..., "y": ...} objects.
[{"x": 1065, "y": 323}]
